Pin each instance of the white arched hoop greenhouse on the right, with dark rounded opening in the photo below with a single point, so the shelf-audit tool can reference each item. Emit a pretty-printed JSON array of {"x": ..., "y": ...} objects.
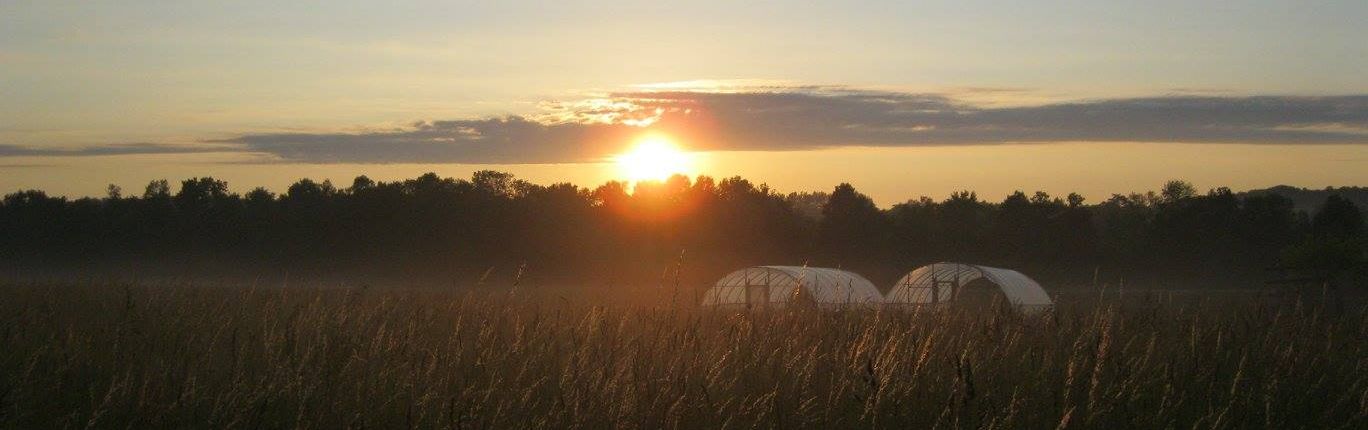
[{"x": 950, "y": 283}]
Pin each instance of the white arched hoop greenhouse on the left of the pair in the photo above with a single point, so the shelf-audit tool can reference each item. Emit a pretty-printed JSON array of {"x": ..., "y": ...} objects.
[{"x": 782, "y": 286}]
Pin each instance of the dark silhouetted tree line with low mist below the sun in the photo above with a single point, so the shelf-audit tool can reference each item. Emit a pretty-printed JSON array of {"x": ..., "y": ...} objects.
[{"x": 692, "y": 229}]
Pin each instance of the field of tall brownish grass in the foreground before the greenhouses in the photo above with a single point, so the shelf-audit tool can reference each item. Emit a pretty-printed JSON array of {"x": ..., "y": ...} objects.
[{"x": 109, "y": 355}]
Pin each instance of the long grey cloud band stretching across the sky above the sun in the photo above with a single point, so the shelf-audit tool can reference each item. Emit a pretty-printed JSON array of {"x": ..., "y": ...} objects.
[{"x": 797, "y": 118}]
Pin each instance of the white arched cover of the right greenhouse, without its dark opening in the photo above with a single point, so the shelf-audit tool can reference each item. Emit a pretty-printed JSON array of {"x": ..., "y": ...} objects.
[{"x": 917, "y": 287}]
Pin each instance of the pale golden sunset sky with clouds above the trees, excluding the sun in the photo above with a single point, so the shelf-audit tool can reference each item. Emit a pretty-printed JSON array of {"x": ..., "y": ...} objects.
[{"x": 902, "y": 99}]
